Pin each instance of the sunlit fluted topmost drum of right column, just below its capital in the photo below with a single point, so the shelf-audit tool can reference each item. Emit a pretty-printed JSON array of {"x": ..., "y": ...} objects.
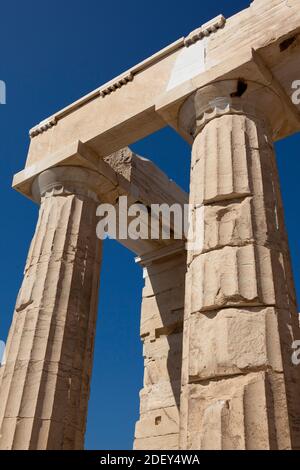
[{"x": 219, "y": 164}]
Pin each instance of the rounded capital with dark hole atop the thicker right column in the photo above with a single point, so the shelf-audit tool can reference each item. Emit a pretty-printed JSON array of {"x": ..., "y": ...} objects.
[{"x": 231, "y": 97}]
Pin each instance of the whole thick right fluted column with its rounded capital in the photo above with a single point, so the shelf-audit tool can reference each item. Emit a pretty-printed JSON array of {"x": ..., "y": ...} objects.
[{"x": 239, "y": 387}]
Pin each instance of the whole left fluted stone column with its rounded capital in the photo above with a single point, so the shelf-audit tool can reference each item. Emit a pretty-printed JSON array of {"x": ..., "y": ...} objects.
[{"x": 45, "y": 382}]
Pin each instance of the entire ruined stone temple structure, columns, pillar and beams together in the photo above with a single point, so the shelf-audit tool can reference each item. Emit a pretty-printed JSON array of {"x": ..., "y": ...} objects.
[{"x": 219, "y": 319}]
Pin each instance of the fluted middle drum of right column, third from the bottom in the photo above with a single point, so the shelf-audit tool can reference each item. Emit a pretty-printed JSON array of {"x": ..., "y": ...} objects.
[{"x": 232, "y": 276}]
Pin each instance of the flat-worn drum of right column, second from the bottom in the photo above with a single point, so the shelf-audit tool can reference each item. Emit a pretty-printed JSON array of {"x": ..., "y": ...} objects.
[{"x": 234, "y": 341}]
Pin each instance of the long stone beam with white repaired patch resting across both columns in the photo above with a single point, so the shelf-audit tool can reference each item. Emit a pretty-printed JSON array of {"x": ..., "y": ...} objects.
[{"x": 148, "y": 96}]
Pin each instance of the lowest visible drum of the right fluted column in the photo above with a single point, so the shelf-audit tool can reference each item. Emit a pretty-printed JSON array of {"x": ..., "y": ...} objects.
[{"x": 242, "y": 413}]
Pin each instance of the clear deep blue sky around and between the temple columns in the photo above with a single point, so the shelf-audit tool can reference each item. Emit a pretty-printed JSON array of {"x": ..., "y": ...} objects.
[{"x": 51, "y": 54}]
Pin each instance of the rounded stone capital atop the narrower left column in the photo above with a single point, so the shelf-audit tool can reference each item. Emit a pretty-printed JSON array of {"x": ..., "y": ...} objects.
[{"x": 63, "y": 180}]
